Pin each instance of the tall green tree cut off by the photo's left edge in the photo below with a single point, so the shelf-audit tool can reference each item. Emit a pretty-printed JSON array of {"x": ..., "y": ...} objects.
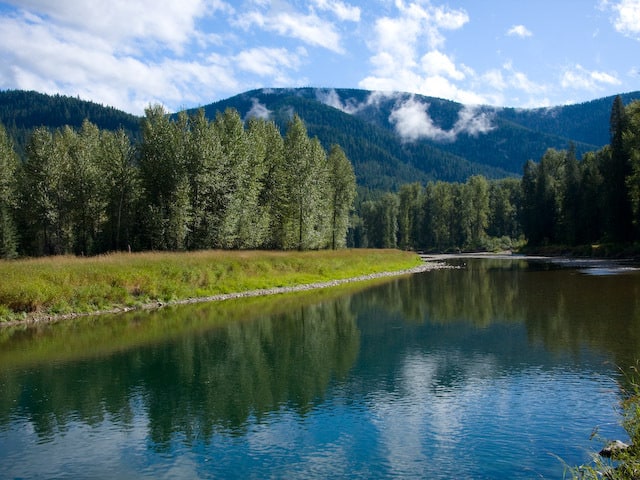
[{"x": 8, "y": 197}]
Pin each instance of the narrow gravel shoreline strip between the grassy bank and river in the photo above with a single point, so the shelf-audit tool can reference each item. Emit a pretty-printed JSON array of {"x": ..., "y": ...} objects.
[{"x": 42, "y": 319}]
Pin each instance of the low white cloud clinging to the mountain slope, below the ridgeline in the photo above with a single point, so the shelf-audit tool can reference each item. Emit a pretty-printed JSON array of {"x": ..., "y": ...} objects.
[{"x": 412, "y": 122}]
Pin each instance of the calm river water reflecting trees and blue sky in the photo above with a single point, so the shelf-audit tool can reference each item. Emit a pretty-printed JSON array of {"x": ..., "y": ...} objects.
[{"x": 498, "y": 369}]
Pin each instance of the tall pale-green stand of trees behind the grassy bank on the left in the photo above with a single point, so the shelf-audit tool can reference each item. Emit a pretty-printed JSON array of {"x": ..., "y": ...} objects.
[{"x": 188, "y": 183}]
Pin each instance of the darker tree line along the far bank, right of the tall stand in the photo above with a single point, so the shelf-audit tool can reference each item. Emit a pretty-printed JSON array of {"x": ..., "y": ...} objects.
[{"x": 559, "y": 200}]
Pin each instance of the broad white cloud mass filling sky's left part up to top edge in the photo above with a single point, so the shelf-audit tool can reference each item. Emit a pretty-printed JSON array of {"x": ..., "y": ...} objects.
[{"x": 128, "y": 54}]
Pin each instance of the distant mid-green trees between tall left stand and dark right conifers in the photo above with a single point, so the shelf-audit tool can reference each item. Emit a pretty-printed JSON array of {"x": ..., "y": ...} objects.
[{"x": 441, "y": 216}]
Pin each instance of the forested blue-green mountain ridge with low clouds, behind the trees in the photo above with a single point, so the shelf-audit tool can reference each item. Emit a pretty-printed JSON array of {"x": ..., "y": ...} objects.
[{"x": 391, "y": 138}]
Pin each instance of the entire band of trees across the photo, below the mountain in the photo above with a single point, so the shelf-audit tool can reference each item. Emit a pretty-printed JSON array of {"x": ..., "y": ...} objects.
[{"x": 190, "y": 183}]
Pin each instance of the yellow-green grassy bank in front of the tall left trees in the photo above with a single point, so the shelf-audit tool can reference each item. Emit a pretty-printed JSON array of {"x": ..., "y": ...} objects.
[{"x": 61, "y": 285}]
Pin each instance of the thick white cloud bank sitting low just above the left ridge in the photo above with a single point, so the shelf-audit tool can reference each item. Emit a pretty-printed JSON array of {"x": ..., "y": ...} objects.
[{"x": 53, "y": 59}]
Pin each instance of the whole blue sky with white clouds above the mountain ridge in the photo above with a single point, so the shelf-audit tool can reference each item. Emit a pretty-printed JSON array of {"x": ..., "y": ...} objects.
[{"x": 130, "y": 54}]
